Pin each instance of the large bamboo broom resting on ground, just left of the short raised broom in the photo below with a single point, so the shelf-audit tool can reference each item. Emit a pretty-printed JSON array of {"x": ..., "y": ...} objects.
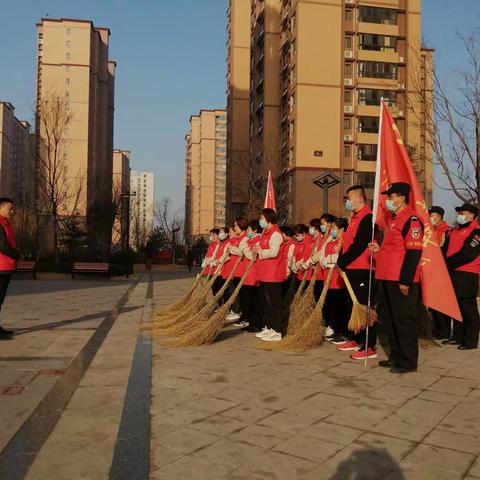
[{"x": 311, "y": 332}]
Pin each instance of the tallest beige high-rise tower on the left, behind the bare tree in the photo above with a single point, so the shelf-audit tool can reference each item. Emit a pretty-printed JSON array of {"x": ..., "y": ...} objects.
[{"x": 73, "y": 69}]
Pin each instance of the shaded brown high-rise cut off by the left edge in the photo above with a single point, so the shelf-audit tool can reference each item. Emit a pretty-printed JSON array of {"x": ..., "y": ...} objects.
[{"x": 17, "y": 161}]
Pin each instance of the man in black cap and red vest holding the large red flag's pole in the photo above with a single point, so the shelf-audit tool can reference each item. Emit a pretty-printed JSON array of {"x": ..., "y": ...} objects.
[{"x": 397, "y": 273}]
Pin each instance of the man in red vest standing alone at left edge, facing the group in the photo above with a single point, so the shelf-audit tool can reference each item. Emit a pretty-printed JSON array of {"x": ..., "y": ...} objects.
[{"x": 8, "y": 255}]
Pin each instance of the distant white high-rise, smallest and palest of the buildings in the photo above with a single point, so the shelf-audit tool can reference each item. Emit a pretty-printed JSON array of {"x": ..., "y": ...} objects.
[{"x": 141, "y": 207}]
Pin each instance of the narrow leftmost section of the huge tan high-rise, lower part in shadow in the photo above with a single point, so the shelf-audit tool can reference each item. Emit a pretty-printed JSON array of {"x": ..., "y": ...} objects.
[{"x": 238, "y": 107}]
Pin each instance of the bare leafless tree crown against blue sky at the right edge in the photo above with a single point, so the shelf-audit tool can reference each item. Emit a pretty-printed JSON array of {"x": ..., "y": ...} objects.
[{"x": 449, "y": 119}]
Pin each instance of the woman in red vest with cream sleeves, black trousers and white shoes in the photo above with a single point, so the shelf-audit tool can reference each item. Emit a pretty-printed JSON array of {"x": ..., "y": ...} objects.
[{"x": 271, "y": 274}]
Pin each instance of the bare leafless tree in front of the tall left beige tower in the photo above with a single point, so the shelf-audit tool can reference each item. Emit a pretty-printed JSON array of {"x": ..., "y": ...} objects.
[{"x": 60, "y": 192}]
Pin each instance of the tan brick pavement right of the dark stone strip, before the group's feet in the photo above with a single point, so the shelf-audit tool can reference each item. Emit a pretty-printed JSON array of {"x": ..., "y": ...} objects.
[{"x": 234, "y": 411}]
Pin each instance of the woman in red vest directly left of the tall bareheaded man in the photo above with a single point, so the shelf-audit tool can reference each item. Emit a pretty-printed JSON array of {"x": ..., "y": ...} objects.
[{"x": 336, "y": 304}]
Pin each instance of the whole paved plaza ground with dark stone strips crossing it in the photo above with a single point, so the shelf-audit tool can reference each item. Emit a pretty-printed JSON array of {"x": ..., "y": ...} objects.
[{"x": 85, "y": 395}]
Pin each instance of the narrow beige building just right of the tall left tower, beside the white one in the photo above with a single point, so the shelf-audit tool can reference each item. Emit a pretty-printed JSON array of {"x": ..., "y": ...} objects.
[{"x": 121, "y": 196}]
